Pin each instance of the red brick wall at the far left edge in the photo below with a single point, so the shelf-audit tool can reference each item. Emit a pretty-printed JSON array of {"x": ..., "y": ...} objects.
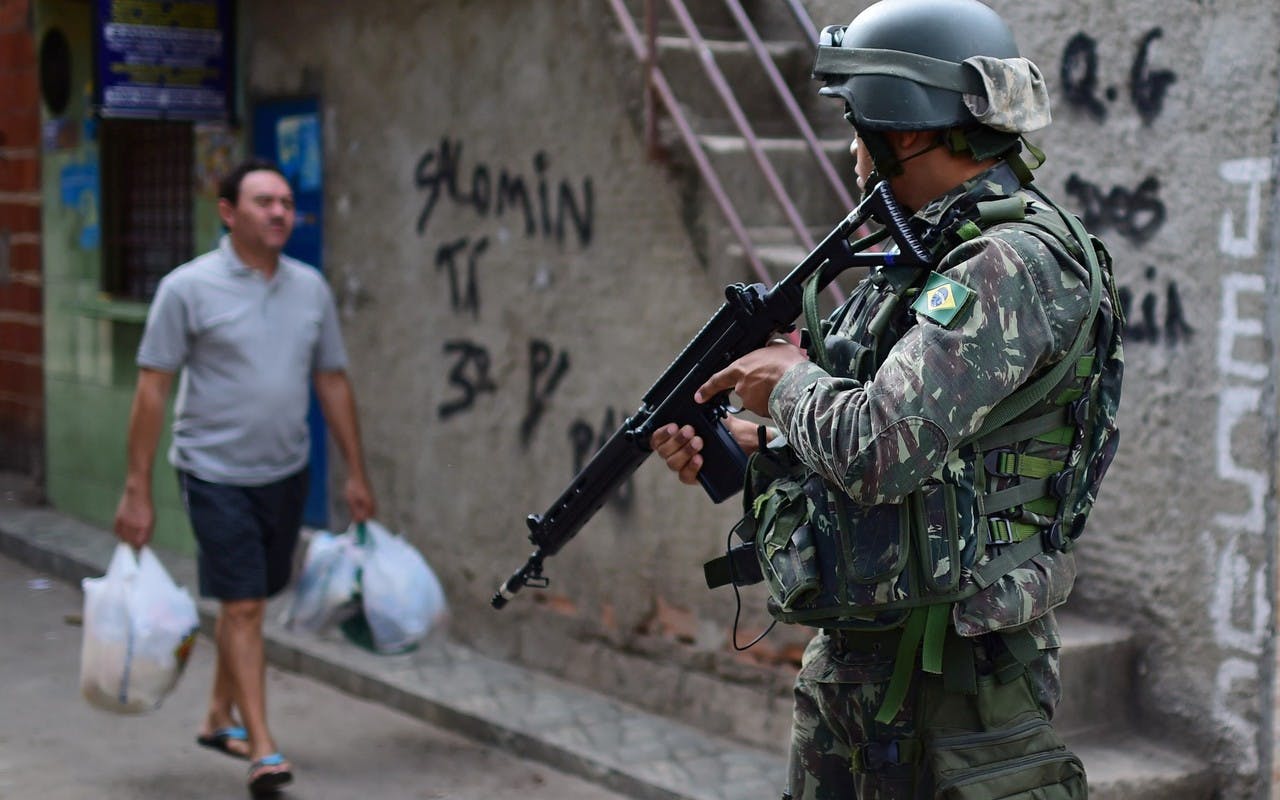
[{"x": 21, "y": 318}]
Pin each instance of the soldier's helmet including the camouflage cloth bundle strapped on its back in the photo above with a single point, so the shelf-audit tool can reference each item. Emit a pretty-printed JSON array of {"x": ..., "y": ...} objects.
[{"x": 931, "y": 65}]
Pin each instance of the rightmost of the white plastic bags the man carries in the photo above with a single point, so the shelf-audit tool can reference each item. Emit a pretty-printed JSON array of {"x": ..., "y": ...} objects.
[{"x": 403, "y": 597}]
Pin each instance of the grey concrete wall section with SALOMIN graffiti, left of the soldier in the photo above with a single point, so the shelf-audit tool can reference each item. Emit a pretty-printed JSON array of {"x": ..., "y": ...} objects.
[{"x": 495, "y": 345}]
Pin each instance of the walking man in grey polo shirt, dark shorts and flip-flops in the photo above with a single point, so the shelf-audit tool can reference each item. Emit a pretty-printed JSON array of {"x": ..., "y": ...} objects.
[{"x": 248, "y": 331}]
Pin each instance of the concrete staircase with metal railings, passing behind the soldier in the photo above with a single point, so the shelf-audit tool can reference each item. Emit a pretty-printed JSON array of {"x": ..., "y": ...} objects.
[{"x": 767, "y": 170}]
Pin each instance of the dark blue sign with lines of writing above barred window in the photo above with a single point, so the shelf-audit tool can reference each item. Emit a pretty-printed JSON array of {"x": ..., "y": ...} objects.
[{"x": 161, "y": 60}]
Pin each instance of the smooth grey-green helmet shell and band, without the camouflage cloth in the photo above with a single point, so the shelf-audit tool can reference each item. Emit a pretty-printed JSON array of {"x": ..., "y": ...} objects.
[{"x": 900, "y": 63}]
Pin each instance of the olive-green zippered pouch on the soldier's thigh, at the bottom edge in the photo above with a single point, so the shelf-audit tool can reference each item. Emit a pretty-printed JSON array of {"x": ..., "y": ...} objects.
[{"x": 996, "y": 744}]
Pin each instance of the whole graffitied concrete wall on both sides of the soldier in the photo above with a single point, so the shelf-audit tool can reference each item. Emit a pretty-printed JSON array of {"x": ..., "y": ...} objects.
[{"x": 491, "y": 348}]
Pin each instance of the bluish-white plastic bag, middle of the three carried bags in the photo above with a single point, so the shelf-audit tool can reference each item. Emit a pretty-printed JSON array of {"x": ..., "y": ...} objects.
[{"x": 328, "y": 587}]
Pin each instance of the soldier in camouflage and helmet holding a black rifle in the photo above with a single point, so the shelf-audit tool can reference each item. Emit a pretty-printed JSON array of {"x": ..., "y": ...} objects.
[{"x": 941, "y": 440}]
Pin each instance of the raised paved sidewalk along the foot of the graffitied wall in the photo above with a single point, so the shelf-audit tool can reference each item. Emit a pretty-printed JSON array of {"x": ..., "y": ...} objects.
[{"x": 529, "y": 714}]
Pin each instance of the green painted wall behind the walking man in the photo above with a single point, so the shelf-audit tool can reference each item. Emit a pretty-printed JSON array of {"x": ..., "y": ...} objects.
[{"x": 90, "y": 340}]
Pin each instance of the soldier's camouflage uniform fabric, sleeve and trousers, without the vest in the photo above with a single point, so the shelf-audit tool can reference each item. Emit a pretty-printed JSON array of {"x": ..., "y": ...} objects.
[{"x": 881, "y": 440}]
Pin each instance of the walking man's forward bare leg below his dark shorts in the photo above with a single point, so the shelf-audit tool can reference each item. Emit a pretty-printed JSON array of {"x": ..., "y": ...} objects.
[{"x": 240, "y": 647}]
